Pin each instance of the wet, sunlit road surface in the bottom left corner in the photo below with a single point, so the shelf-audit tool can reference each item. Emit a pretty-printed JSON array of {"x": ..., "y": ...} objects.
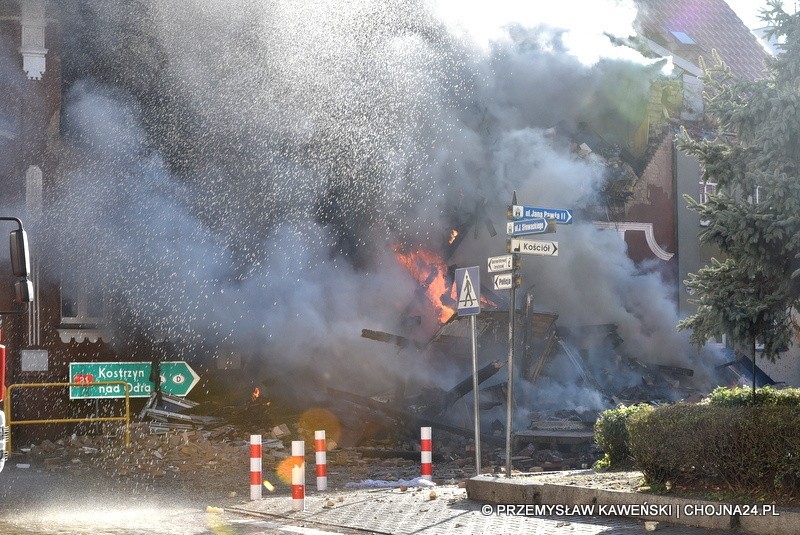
[{"x": 38, "y": 502}]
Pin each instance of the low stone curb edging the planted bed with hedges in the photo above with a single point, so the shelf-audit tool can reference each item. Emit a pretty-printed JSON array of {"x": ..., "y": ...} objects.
[{"x": 526, "y": 491}]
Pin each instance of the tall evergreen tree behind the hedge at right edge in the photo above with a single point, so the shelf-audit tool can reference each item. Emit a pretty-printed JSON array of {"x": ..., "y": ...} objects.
[{"x": 754, "y": 216}]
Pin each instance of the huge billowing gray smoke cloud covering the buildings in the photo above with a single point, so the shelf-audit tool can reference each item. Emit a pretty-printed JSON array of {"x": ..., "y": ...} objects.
[{"x": 237, "y": 172}]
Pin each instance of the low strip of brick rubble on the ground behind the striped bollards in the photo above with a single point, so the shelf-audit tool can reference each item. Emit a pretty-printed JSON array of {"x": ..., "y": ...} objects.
[{"x": 219, "y": 458}]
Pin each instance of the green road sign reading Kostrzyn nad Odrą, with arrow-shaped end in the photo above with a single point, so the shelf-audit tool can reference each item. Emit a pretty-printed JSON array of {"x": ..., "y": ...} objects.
[{"x": 177, "y": 378}]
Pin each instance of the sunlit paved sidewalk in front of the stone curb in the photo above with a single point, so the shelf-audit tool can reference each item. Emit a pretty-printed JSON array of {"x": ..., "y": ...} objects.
[{"x": 450, "y": 511}]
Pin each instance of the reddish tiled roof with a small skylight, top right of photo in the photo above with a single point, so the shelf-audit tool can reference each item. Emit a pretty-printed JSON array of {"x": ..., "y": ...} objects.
[{"x": 712, "y": 24}]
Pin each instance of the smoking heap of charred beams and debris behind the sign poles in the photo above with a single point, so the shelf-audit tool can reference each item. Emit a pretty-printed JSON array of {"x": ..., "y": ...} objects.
[{"x": 588, "y": 362}]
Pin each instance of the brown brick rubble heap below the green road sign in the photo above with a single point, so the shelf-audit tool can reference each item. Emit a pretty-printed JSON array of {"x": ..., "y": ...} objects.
[{"x": 165, "y": 444}]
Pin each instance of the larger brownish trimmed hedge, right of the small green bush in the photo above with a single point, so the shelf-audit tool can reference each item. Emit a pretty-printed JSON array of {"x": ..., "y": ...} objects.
[{"x": 748, "y": 449}]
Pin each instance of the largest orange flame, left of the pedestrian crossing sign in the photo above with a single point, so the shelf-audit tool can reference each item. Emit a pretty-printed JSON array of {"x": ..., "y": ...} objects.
[{"x": 430, "y": 272}]
